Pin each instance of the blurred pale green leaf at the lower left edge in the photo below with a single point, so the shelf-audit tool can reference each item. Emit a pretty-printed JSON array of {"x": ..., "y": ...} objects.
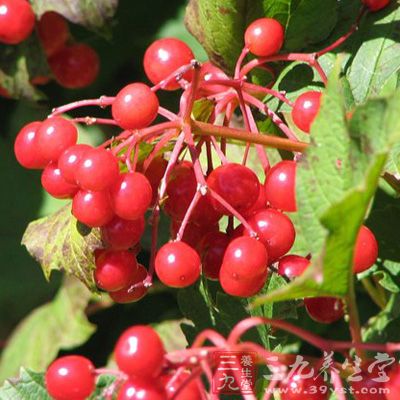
[{"x": 60, "y": 324}]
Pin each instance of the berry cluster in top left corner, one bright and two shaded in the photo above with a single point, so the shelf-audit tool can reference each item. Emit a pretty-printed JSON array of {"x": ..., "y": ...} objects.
[{"x": 74, "y": 65}]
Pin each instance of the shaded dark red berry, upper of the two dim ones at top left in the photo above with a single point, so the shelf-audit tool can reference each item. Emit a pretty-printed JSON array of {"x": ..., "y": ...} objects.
[{"x": 53, "y": 32}]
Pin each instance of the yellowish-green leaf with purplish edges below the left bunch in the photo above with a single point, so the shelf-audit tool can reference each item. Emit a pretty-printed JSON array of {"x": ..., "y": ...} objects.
[{"x": 59, "y": 242}]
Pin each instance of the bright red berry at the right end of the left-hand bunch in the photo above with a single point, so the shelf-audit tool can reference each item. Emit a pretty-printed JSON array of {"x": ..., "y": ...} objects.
[{"x": 131, "y": 195}]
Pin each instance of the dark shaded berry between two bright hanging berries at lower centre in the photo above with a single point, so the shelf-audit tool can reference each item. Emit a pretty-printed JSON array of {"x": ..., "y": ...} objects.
[{"x": 213, "y": 248}]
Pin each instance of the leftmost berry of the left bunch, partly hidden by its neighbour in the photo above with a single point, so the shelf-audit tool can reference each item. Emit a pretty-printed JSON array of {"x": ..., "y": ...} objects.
[{"x": 26, "y": 149}]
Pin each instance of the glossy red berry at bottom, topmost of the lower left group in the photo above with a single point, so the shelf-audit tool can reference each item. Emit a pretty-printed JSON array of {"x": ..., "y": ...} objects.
[{"x": 140, "y": 352}]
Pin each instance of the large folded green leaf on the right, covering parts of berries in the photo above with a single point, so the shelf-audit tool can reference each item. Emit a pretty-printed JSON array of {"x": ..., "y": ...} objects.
[{"x": 336, "y": 181}]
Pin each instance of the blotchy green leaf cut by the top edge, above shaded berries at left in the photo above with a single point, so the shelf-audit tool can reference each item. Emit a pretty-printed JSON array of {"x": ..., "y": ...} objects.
[{"x": 93, "y": 14}]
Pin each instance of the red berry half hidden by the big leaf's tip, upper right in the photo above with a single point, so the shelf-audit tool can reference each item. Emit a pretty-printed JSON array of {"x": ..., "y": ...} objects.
[{"x": 305, "y": 110}]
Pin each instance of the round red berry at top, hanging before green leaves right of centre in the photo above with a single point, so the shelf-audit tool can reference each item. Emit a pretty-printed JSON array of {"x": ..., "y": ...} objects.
[{"x": 264, "y": 37}]
